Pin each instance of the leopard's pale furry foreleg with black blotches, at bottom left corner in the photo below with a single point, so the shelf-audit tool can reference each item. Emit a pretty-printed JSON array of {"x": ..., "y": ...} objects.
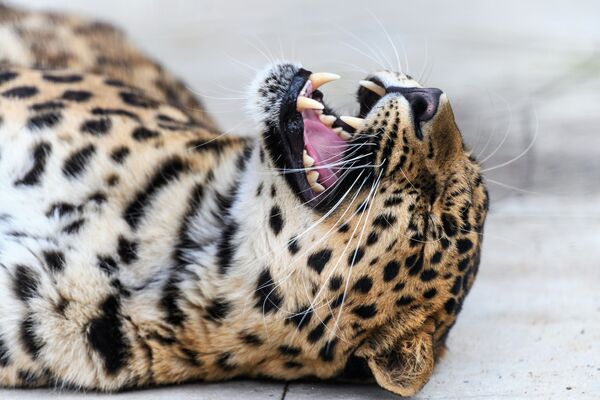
[{"x": 64, "y": 326}]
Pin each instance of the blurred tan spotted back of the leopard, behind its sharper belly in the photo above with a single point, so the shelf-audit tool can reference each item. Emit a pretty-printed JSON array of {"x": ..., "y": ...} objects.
[{"x": 58, "y": 41}]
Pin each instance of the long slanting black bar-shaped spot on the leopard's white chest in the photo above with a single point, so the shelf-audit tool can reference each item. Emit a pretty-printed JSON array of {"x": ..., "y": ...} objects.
[{"x": 166, "y": 173}]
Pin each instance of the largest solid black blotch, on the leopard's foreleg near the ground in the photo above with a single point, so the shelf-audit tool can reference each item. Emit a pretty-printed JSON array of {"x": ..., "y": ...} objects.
[{"x": 105, "y": 335}]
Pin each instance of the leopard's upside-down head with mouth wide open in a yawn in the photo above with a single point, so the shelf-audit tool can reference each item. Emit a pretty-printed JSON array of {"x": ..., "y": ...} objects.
[{"x": 398, "y": 203}]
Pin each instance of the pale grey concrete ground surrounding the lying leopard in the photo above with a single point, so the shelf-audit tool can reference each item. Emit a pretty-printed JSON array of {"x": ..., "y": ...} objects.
[{"x": 524, "y": 79}]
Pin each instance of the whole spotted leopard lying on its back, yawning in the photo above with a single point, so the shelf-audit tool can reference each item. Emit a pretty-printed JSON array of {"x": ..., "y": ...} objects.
[{"x": 142, "y": 245}]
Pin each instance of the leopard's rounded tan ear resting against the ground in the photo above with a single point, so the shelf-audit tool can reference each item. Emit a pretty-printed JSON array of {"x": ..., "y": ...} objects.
[{"x": 405, "y": 367}]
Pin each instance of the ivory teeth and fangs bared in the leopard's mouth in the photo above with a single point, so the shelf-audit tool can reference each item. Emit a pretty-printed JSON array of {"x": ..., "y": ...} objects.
[{"x": 305, "y": 103}]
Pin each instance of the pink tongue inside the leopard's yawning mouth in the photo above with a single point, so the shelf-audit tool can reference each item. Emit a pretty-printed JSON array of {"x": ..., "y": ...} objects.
[{"x": 325, "y": 147}]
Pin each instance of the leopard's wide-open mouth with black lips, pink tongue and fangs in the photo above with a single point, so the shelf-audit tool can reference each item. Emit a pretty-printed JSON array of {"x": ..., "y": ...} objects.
[{"x": 323, "y": 154}]
